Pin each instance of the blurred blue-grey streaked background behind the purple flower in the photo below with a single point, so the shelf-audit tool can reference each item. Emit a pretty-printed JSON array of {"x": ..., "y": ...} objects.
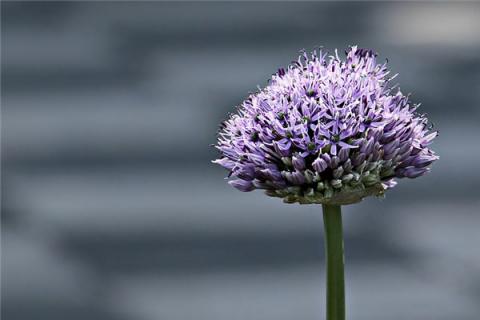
[{"x": 112, "y": 210}]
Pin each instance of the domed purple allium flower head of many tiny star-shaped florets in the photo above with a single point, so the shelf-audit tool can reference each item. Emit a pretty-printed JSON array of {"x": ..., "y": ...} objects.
[{"x": 326, "y": 131}]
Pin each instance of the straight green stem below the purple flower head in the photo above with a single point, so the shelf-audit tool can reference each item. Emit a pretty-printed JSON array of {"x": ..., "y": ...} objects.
[{"x": 332, "y": 219}]
